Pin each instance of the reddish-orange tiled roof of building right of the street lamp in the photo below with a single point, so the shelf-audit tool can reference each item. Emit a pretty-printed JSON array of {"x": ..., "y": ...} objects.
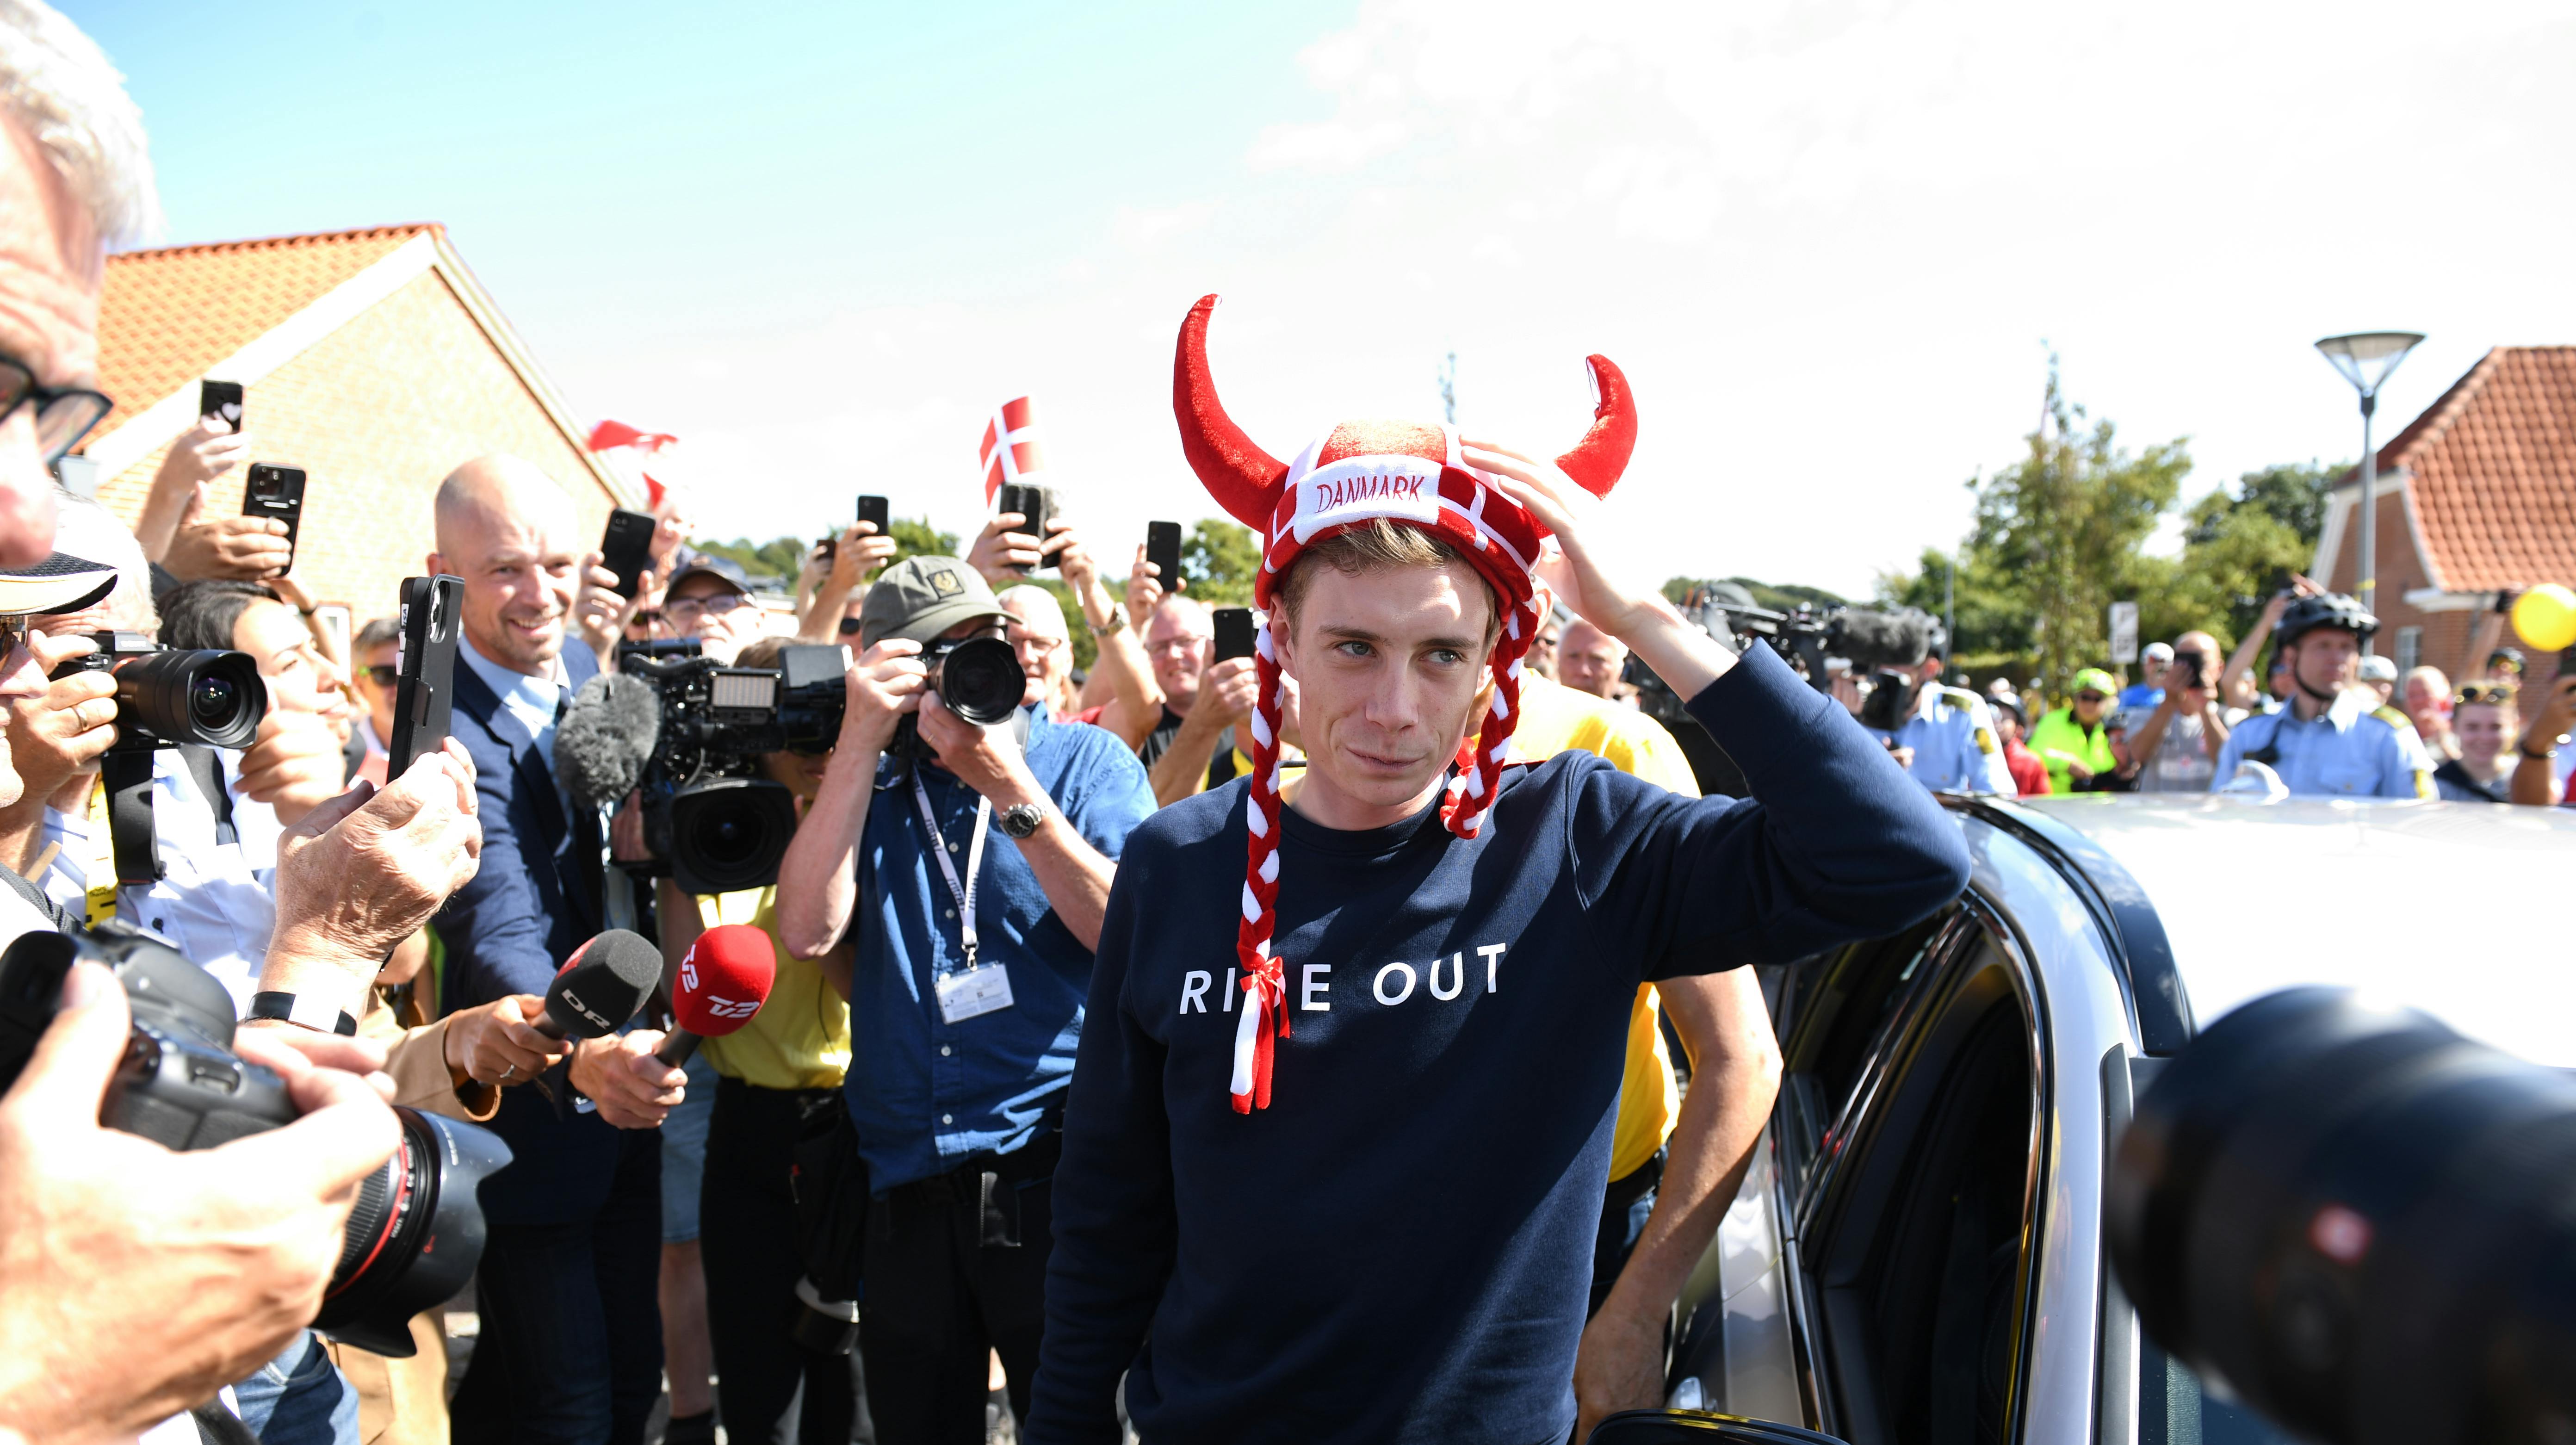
[{"x": 2495, "y": 473}]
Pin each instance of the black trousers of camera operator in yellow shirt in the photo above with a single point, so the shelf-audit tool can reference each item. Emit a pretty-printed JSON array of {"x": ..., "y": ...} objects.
[{"x": 769, "y": 1390}]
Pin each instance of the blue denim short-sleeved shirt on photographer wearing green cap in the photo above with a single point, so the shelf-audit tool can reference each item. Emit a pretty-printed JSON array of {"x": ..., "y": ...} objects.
[{"x": 929, "y": 1093}]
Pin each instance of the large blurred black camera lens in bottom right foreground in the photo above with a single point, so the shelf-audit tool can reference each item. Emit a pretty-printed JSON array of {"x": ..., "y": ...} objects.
[{"x": 2358, "y": 1222}]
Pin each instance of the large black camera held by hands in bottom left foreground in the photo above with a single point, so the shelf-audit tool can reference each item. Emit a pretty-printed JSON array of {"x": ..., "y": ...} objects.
[{"x": 413, "y": 1238}]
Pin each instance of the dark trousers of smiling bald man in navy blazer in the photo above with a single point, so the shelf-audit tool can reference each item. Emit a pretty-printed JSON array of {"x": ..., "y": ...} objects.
[{"x": 571, "y": 1343}]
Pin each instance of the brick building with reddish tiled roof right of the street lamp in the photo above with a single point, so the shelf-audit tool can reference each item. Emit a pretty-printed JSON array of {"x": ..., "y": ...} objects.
[{"x": 2477, "y": 496}]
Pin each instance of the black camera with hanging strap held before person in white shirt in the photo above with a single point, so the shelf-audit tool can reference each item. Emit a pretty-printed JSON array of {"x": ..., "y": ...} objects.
[{"x": 166, "y": 697}]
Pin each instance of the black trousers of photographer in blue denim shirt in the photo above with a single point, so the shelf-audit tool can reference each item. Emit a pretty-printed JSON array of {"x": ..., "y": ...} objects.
[{"x": 957, "y": 1269}]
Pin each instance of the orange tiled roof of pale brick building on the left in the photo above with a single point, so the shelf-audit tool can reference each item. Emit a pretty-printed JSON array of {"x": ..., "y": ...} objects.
[{"x": 169, "y": 316}]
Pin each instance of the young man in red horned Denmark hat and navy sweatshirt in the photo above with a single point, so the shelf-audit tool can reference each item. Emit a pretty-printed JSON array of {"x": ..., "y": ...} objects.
[{"x": 1379, "y": 1225}]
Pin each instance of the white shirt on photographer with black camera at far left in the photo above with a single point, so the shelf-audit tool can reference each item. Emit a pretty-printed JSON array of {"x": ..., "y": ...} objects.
[{"x": 215, "y": 900}]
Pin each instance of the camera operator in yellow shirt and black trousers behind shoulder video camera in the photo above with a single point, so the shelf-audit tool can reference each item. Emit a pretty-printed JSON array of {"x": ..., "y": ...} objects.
[{"x": 777, "y": 1073}]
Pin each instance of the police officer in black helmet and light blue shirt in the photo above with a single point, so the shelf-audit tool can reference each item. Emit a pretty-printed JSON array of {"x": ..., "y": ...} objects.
[{"x": 2335, "y": 738}]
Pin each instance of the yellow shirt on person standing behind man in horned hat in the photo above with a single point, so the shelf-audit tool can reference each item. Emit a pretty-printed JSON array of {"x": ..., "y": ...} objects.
[{"x": 1555, "y": 720}]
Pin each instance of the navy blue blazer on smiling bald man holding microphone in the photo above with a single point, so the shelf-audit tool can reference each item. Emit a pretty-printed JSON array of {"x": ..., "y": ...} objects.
[{"x": 509, "y": 931}]
